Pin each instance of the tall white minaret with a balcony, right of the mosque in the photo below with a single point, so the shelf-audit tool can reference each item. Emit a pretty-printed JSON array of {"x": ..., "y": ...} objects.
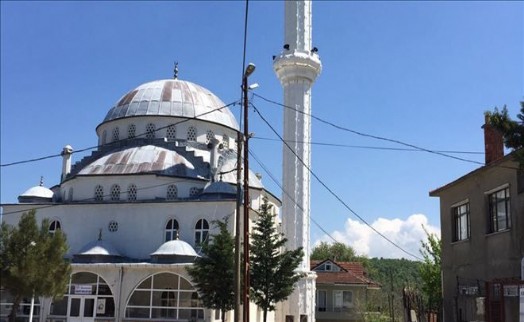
[{"x": 297, "y": 67}]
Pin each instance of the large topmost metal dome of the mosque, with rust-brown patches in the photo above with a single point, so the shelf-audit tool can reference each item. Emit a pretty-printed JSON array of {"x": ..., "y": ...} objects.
[{"x": 172, "y": 97}]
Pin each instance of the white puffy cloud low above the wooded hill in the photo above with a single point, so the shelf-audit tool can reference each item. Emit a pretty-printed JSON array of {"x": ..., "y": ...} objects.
[{"x": 407, "y": 234}]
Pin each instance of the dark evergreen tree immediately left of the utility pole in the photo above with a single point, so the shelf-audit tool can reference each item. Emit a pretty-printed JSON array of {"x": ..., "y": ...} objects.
[{"x": 214, "y": 272}]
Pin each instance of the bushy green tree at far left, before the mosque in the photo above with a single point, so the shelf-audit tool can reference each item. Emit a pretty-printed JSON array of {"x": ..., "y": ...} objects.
[{"x": 32, "y": 261}]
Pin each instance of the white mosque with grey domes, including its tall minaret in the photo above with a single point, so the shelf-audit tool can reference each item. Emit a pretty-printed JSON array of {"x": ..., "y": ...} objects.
[{"x": 137, "y": 209}]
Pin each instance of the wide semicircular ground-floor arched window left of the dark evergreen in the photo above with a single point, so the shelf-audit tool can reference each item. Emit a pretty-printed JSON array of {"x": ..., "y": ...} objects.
[{"x": 162, "y": 296}]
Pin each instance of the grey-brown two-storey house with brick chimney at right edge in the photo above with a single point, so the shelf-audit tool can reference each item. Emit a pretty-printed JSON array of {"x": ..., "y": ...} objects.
[{"x": 482, "y": 222}]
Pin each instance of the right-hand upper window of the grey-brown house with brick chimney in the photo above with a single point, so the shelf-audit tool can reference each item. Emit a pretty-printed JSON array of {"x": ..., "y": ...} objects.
[{"x": 499, "y": 213}]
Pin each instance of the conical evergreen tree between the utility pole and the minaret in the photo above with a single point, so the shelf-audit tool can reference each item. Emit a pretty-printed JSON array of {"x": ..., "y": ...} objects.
[{"x": 272, "y": 275}]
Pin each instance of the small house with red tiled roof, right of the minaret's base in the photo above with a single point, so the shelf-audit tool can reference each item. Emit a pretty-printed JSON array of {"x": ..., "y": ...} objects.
[{"x": 342, "y": 290}]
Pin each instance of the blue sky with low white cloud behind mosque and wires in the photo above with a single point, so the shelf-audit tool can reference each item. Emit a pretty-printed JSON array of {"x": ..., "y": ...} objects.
[{"x": 418, "y": 72}]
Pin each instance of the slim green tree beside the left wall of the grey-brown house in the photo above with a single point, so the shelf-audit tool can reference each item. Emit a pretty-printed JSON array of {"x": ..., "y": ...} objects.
[{"x": 430, "y": 271}]
